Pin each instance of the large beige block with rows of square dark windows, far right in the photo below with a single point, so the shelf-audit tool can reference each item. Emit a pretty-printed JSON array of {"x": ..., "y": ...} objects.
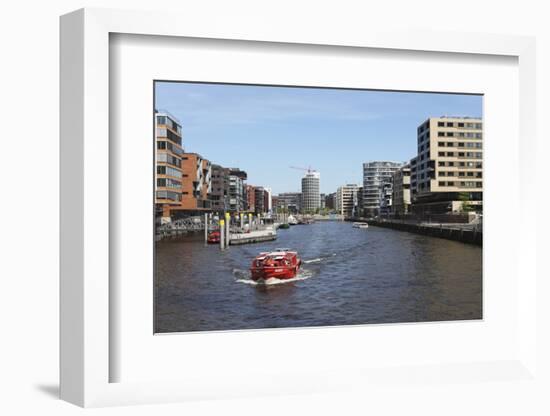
[{"x": 449, "y": 163}]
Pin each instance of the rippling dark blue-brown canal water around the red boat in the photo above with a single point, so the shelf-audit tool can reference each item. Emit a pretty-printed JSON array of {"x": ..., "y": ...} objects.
[{"x": 350, "y": 276}]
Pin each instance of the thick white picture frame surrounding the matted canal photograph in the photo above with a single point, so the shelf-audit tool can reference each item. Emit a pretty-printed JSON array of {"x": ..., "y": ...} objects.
[{"x": 86, "y": 332}]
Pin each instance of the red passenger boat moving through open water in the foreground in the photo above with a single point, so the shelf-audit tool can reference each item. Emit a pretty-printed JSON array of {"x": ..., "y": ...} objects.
[{"x": 280, "y": 264}]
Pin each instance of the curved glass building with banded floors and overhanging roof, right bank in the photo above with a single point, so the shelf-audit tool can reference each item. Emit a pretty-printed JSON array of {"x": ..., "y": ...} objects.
[{"x": 377, "y": 179}]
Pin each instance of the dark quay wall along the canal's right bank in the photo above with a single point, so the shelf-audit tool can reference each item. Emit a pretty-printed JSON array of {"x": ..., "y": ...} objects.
[{"x": 449, "y": 233}]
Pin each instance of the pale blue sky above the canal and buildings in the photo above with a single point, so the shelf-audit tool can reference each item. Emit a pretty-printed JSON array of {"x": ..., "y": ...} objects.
[{"x": 265, "y": 130}]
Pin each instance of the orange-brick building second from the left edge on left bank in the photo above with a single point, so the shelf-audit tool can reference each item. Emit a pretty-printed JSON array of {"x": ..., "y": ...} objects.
[{"x": 197, "y": 182}]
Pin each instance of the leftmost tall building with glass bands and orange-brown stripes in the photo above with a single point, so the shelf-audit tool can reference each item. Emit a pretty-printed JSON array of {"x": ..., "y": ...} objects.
[{"x": 169, "y": 149}]
